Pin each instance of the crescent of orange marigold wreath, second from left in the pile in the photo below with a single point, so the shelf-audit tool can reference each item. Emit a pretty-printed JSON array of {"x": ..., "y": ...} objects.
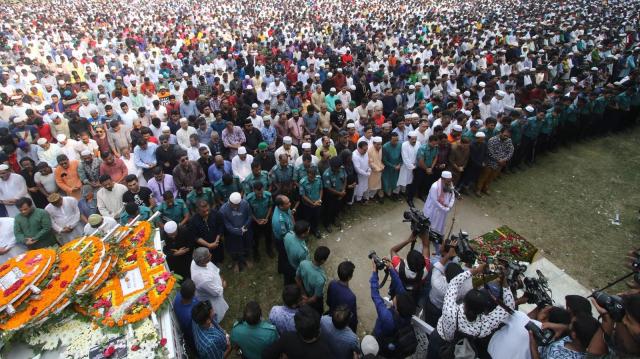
[{"x": 66, "y": 272}]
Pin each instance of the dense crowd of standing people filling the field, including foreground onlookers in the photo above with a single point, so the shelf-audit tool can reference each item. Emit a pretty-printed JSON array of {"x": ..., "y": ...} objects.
[{"x": 249, "y": 125}]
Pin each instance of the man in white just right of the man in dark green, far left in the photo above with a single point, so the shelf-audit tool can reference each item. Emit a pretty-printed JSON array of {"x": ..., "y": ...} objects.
[{"x": 65, "y": 217}]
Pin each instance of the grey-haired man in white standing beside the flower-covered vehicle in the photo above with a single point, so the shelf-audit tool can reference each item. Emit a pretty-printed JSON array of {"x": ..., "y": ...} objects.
[{"x": 209, "y": 284}]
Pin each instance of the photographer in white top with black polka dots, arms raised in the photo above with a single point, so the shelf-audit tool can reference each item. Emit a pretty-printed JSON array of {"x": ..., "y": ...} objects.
[{"x": 462, "y": 325}]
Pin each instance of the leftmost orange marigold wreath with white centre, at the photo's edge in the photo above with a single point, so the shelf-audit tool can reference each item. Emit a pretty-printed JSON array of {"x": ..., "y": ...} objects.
[{"x": 35, "y": 265}]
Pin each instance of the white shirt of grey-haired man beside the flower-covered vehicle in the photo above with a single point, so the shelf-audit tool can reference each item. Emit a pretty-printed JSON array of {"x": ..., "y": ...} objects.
[{"x": 209, "y": 287}]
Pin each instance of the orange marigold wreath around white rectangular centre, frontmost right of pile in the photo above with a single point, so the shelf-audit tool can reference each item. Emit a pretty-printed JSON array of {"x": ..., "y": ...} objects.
[{"x": 158, "y": 283}]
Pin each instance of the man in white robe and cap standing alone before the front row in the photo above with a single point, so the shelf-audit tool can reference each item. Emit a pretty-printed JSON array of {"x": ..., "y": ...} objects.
[{"x": 439, "y": 202}]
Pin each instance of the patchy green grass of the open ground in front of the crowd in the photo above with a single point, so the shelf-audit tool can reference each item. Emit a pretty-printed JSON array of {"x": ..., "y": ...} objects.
[{"x": 564, "y": 205}]
